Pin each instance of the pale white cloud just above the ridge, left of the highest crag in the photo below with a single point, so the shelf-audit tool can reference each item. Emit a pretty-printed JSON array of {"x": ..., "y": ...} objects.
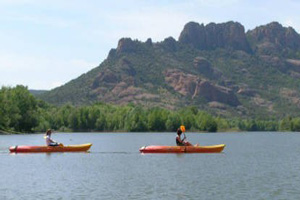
[{"x": 144, "y": 23}]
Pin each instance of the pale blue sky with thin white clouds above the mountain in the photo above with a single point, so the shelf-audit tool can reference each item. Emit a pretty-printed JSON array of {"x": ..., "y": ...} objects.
[{"x": 45, "y": 44}]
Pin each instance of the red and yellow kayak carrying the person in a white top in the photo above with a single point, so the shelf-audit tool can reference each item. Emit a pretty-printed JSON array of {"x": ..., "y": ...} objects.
[{"x": 45, "y": 149}]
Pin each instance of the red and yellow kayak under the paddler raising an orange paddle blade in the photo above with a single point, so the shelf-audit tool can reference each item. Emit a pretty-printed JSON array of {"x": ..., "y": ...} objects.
[{"x": 182, "y": 149}]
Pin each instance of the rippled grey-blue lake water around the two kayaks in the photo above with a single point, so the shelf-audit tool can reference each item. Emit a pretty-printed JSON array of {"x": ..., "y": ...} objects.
[{"x": 252, "y": 166}]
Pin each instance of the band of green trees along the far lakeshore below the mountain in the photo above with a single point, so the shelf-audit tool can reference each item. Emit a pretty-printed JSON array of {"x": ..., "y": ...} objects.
[{"x": 21, "y": 112}]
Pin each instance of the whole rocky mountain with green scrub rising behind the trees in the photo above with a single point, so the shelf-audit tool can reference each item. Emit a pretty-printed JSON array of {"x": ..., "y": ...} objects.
[{"x": 215, "y": 67}]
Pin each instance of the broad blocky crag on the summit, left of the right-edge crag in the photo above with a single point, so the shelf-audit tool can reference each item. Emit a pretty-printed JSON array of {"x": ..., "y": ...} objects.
[{"x": 230, "y": 35}]
